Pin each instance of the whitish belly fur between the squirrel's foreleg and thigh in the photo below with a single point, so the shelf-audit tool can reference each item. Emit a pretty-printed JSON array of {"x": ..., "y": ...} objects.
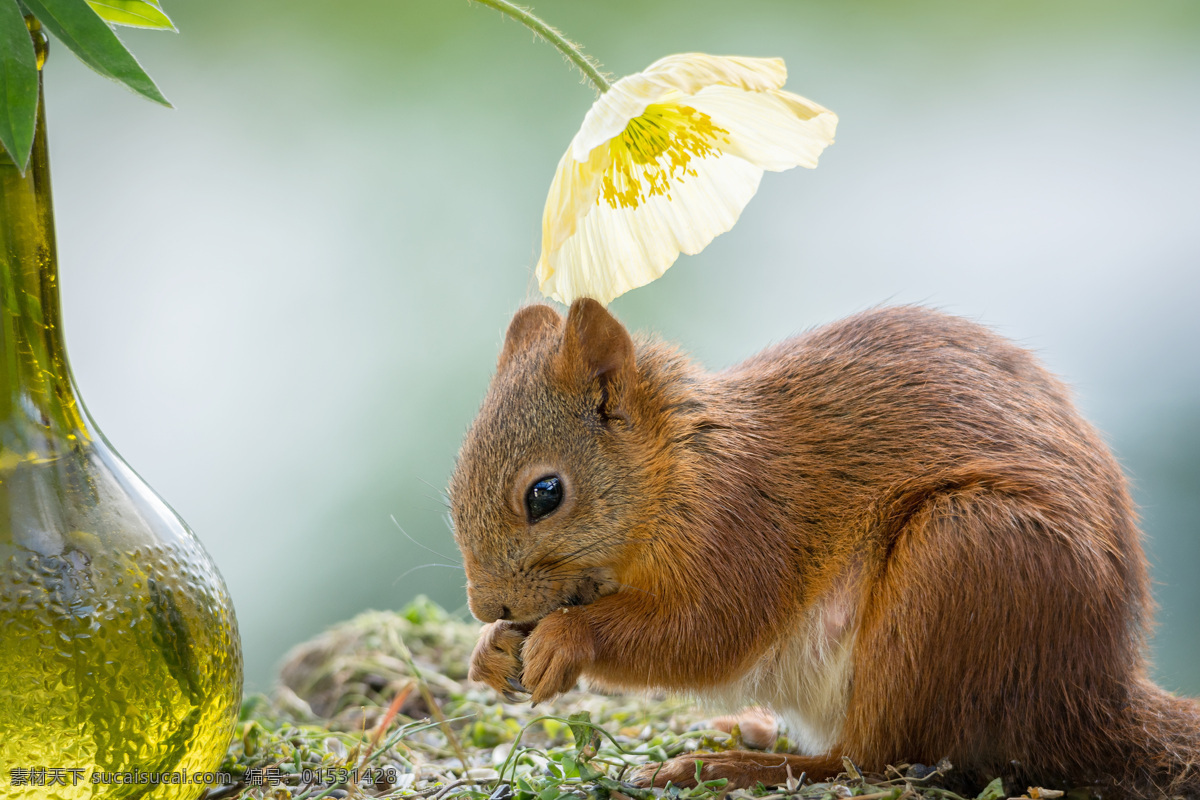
[{"x": 805, "y": 679}]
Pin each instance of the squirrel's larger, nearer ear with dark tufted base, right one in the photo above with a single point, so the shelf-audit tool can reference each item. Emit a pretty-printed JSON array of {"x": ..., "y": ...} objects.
[{"x": 597, "y": 348}]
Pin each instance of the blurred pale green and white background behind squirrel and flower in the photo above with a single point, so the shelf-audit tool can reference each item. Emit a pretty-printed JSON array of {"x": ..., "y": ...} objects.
[{"x": 284, "y": 300}]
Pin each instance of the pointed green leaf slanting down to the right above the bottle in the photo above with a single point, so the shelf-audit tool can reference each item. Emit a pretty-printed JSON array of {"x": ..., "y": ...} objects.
[{"x": 86, "y": 34}]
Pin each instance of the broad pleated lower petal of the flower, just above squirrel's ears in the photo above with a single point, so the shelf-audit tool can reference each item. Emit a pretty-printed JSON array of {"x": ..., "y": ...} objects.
[{"x": 615, "y": 250}]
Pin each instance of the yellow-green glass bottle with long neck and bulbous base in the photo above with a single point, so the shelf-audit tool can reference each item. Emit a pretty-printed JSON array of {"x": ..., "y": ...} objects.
[{"x": 121, "y": 665}]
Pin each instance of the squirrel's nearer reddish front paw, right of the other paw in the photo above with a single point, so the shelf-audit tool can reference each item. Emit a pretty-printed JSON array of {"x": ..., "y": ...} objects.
[{"x": 556, "y": 654}]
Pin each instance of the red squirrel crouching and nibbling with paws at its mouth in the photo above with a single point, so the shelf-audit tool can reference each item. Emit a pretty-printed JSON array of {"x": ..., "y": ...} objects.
[{"x": 896, "y": 532}]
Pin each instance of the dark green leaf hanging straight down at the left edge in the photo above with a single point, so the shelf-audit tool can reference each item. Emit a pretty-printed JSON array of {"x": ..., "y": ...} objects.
[{"x": 19, "y": 85}]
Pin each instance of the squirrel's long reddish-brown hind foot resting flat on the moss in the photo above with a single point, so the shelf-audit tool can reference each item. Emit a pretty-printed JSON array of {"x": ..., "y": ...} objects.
[{"x": 741, "y": 768}]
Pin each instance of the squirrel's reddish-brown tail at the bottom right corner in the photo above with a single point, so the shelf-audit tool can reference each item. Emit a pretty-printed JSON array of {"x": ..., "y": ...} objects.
[{"x": 1163, "y": 745}]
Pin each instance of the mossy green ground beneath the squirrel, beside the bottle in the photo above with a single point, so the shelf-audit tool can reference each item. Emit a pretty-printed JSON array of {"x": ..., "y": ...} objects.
[{"x": 380, "y": 707}]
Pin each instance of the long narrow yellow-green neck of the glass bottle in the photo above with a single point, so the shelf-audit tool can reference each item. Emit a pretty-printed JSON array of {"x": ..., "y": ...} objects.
[{"x": 38, "y": 398}]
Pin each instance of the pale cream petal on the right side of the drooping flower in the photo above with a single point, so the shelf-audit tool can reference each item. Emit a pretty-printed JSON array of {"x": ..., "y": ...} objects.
[{"x": 775, "y": 130}]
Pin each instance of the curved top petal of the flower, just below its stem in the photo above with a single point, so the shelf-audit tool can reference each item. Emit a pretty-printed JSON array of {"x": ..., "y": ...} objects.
[{"x": 667, "y": 80}]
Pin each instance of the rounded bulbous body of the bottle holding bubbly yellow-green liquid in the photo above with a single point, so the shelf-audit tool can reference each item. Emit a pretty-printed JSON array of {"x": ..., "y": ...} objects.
[{"x": 118, "y": 640}]
